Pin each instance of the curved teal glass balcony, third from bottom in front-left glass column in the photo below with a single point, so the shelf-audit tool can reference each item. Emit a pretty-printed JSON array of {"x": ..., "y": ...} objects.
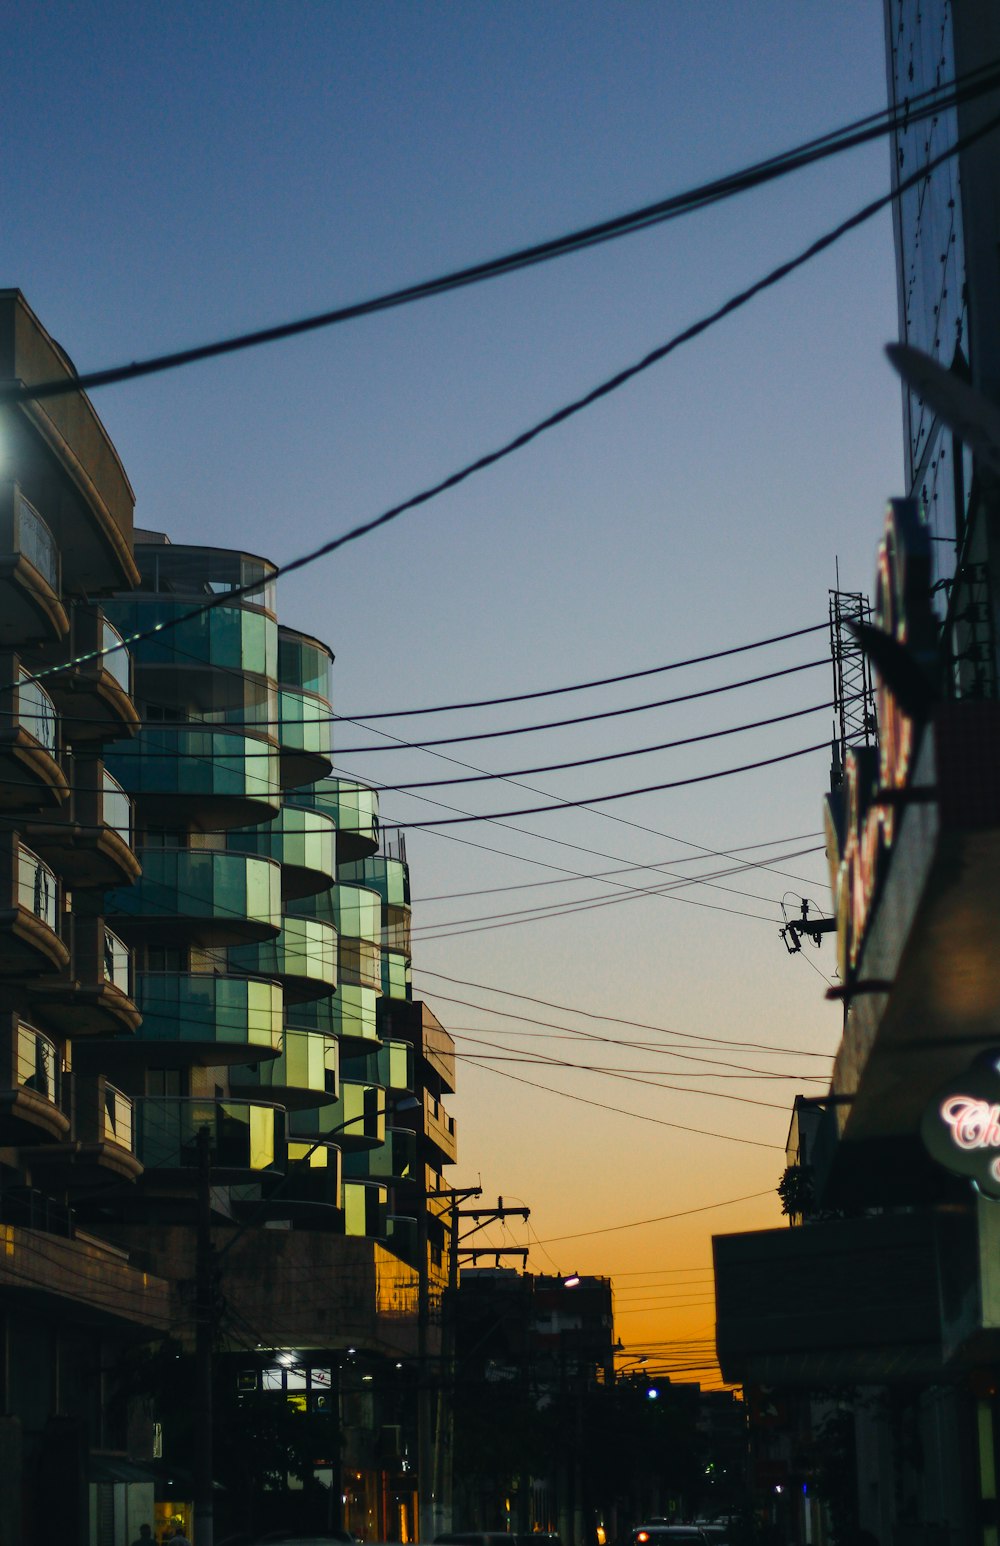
[{"x": 200, "y": 896}]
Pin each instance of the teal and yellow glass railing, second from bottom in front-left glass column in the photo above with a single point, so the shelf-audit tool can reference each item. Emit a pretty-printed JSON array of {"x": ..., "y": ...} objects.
[{"x": 186, "y": 1007}]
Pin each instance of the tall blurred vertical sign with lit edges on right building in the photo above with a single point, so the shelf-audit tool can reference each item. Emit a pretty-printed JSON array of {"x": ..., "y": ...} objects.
[{"x": 903, "y": 613}]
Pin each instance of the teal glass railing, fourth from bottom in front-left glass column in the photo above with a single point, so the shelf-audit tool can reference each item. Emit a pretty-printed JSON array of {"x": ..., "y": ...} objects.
[{"x": 180, "y": 761}]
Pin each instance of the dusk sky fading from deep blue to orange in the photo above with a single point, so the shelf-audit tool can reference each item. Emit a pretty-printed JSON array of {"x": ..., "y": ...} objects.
[{"x": 186, "y": 172}]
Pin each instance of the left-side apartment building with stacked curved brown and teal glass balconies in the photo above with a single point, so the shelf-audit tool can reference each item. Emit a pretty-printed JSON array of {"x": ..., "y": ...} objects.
[{"x": 223, "y": 1131}]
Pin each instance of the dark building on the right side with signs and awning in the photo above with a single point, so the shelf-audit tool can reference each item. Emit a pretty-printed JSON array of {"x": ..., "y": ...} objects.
[{"x": 868, "y": 1333}]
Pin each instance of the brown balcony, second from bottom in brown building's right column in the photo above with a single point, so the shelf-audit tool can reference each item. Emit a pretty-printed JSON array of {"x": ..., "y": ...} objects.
[{"x": 95, "y": 995}]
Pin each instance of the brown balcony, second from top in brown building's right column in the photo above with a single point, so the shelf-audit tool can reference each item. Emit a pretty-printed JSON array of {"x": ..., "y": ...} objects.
[{"x": 90, "y": 839}]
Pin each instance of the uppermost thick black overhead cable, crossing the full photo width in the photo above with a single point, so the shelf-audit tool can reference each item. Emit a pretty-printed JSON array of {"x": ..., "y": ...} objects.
[{"x": 852, "y": 135}]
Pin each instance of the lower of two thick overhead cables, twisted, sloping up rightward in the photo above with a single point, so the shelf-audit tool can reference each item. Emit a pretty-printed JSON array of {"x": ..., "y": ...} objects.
[{"x": 542, "y": 426}]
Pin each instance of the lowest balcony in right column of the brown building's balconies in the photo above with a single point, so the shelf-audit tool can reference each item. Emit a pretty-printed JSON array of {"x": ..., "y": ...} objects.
[{"x": 103, "y": 1145}]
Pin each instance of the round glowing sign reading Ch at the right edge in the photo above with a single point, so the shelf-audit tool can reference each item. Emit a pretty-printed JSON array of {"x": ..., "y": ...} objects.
[{"x": 962, "y": 1126}]
